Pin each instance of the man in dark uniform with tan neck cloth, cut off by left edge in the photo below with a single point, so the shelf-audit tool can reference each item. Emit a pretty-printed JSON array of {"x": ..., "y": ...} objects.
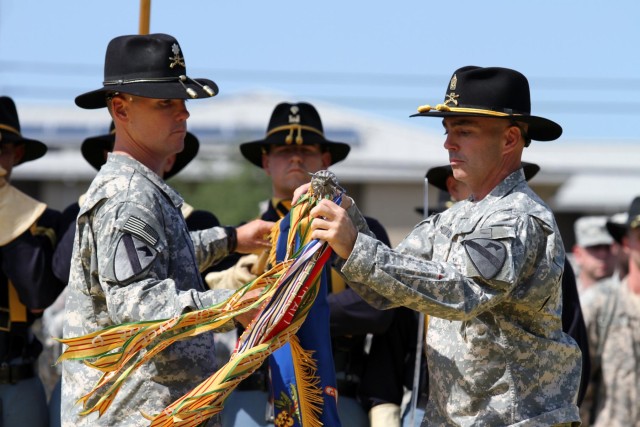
[{"x": 27, "y": 284}]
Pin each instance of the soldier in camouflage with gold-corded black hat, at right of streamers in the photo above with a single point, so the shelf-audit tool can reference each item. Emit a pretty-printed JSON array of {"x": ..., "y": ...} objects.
[{"x": 487, "y": 271}]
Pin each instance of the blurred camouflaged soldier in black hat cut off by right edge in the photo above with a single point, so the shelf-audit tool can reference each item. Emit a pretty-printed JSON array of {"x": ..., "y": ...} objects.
[{"x": 612, "y": 314}]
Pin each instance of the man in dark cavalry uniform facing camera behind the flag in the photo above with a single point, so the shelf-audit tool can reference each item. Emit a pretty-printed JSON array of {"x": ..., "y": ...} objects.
[{"x": 294, "y": 147}]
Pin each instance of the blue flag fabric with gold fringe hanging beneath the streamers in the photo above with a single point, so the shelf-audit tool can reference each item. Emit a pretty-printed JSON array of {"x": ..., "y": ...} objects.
[{"x": 314, "y": 336}]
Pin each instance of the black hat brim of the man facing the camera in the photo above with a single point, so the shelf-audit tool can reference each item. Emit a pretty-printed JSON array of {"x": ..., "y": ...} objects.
[{"x": 253, "y": 150}]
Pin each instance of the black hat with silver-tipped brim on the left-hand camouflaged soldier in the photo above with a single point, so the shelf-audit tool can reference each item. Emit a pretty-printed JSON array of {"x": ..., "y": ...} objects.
[{"x": 151, "y": 66}]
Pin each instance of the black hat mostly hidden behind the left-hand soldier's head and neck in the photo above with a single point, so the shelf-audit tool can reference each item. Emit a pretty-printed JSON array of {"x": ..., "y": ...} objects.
[{"x": 93, "y": 150}]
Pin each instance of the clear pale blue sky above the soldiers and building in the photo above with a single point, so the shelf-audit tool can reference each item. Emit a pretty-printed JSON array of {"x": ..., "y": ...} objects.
[{"x": 385, "y": 57}]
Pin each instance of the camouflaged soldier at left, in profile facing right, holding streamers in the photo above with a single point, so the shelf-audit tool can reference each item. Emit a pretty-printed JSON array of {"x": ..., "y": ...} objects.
[{"x": 133, "y": 258}]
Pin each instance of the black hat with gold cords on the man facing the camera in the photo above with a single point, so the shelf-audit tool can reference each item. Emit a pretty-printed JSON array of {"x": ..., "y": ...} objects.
[{"x": 294, "y": 124}]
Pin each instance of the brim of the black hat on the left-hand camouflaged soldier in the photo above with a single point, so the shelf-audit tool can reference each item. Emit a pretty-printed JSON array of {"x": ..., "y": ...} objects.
[{"x": 160, "y": 90}]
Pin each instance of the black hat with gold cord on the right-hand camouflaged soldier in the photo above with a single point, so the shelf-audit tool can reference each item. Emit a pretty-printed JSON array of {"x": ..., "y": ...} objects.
[{"x": 492, "y": 92}]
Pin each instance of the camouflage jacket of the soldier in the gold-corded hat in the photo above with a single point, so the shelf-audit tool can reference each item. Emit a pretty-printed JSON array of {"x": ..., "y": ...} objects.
[{"x": 488, "y": 274}]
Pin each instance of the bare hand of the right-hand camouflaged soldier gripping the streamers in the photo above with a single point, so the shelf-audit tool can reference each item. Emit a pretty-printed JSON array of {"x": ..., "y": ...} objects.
[{"x": 332, "y": 224}]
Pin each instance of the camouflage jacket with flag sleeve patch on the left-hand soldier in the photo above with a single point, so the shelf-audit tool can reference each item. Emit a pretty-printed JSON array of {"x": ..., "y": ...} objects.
[{"x": 134, "y": 260}]
